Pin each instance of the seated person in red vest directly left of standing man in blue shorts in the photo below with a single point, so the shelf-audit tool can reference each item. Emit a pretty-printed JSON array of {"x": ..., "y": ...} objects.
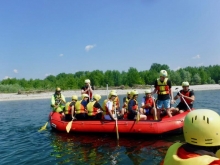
[{"x": 148, "y": 105}]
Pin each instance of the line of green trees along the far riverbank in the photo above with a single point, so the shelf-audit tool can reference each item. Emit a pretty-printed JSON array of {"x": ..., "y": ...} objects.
[{"x": 72, "y": 81}]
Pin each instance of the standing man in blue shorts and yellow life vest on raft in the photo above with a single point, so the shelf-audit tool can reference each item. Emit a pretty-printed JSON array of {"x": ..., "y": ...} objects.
[{"x": 163, "y": 88}]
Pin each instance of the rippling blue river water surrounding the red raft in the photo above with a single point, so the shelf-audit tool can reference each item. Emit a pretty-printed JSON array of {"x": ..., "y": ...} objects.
[{"x": 21, "y": 143}]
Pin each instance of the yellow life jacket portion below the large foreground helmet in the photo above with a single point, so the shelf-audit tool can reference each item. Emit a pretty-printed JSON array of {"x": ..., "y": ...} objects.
[{"x": 172, "y": 158}]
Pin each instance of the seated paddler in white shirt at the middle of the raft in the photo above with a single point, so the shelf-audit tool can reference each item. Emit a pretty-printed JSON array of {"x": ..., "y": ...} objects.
[{"x": 109, "y": 108}]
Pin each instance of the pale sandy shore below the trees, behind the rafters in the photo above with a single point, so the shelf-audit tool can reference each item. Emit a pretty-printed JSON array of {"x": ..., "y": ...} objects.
[{"x": 15, "y": 96}]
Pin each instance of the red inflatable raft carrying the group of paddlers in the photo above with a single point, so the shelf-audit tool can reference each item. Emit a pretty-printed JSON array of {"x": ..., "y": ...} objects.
[{"x": 150, "y": 126}]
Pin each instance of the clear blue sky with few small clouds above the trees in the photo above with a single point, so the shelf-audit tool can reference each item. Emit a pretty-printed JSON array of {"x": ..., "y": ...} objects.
[{"x": 44, "y": 37}]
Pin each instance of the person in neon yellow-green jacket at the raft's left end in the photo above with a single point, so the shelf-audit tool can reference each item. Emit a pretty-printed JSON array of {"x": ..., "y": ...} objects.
[{"x": 58, "y": 101}]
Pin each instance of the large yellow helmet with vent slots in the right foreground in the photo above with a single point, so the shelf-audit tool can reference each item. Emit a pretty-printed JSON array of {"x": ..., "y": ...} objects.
[{"x": 201, "y": 128}]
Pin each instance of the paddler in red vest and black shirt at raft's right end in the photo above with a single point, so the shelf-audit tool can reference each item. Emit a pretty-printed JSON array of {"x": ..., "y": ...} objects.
[{"x": 184, "y": 94}]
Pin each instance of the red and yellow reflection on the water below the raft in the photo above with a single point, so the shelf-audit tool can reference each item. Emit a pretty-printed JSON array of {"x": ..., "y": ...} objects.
[{"x": 104, "y": 149}]
